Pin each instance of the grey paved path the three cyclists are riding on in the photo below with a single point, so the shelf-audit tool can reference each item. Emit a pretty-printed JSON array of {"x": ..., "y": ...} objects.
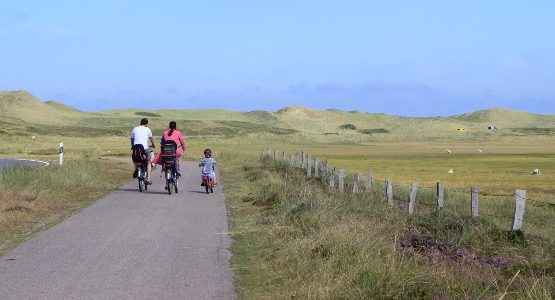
[{"x": 129, "y": 245}]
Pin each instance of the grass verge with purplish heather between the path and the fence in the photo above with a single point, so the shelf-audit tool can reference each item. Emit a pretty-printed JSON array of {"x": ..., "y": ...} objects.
[{"x": 294, "y": 239}]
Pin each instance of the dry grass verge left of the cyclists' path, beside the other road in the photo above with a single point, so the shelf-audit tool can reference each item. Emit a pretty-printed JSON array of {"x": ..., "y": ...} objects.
[{"x": 34, "y": 199}]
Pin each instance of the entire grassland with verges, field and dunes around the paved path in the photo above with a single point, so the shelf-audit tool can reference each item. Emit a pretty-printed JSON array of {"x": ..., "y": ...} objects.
[{"x": 300, "y": 238}]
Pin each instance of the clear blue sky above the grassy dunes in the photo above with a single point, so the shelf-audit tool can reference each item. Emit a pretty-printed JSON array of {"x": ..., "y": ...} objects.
[{"x": 401, "y": 57}]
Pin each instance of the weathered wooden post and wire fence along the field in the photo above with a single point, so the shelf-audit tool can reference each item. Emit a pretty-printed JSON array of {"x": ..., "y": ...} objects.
[{"x": 501, "y": 207}]
